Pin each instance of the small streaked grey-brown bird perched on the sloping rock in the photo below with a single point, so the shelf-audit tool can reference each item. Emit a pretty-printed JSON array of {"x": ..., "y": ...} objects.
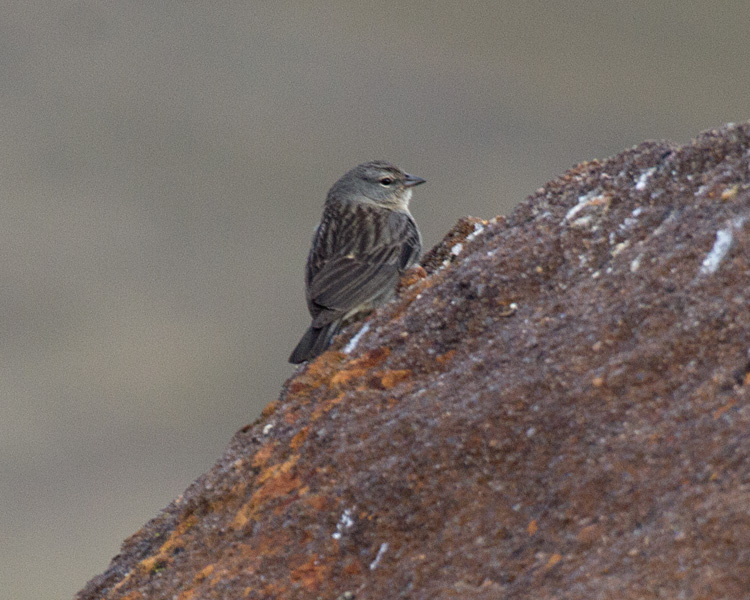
[{"x": 365, "y": 240}]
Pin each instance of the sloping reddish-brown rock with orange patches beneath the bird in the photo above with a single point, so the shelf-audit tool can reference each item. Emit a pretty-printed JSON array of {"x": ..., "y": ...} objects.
[{"x": 559, "y": 409}]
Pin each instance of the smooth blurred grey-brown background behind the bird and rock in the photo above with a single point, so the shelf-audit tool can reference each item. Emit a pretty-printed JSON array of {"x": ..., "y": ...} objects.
[{"x": 163, "y": 165}]
